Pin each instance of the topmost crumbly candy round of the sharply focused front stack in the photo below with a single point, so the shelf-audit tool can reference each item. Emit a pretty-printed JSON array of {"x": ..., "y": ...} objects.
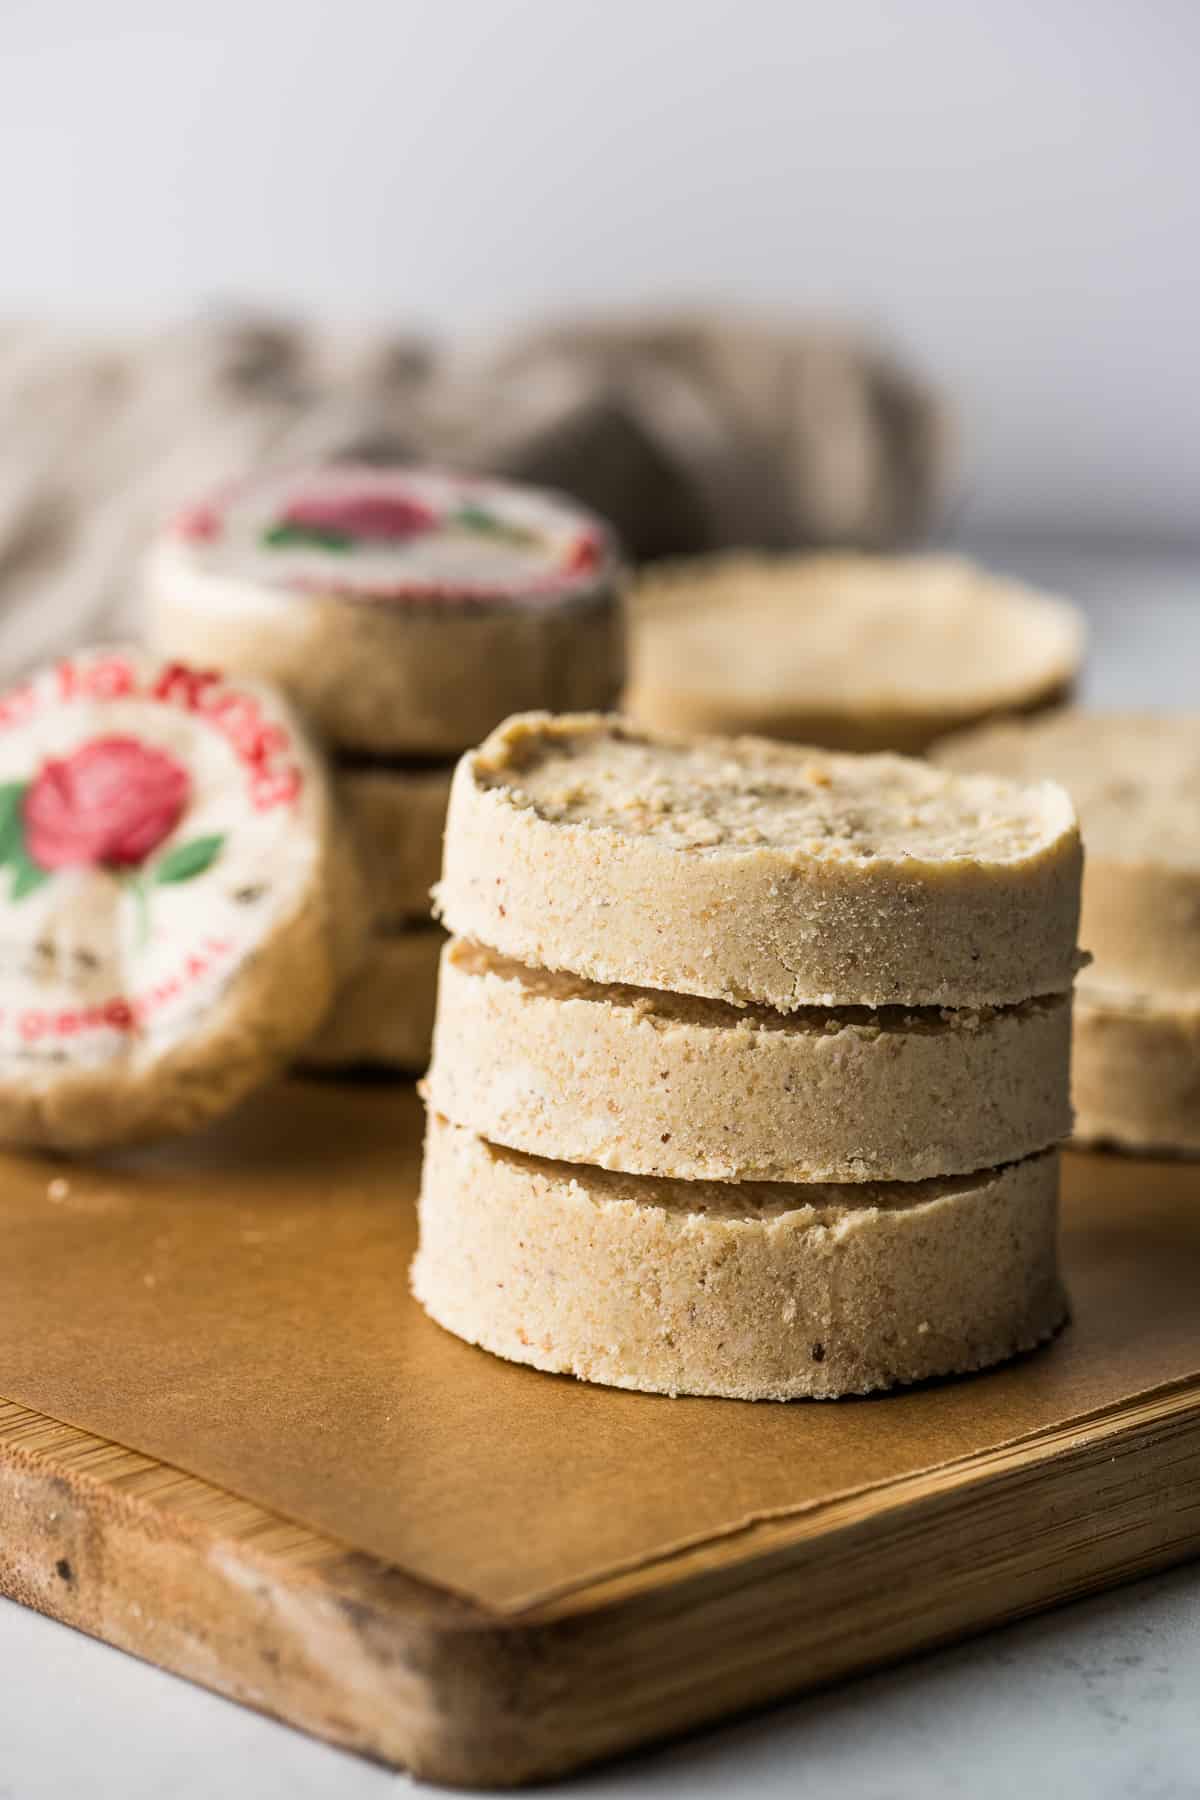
[{"x": 757, "y": 872}]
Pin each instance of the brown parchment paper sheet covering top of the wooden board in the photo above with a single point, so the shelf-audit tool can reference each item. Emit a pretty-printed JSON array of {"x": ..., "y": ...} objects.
[{"x": 238, "y": 1308}]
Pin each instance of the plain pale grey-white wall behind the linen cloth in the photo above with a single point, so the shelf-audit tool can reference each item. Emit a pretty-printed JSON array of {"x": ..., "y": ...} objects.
[{"x": 1007, "y": 188}]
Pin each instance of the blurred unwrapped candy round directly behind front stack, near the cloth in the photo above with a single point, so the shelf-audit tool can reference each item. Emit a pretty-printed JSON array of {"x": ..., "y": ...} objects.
[{"x": 854, "y": 652}]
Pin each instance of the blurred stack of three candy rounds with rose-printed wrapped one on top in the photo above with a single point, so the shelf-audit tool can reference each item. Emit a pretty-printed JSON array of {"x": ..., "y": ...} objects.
[{"x": 406, "y": 613}]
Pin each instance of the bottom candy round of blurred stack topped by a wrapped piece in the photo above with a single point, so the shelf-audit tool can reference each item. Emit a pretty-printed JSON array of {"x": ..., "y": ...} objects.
[{"x": 384, "y": 1016}]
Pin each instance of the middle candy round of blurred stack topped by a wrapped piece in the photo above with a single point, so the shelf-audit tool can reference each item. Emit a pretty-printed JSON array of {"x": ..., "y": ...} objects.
[{"x": 395, "y": 820}]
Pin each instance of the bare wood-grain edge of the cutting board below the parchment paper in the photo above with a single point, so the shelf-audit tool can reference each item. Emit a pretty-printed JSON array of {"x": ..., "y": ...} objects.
[{"x": 328, "y": 1641}]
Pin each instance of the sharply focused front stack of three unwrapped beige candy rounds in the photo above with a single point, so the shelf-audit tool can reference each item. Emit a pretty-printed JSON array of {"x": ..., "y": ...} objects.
[{"x": 749, "y": 1065}]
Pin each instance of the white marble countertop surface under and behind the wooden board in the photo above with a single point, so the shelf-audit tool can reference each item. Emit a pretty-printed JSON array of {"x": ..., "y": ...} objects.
[{"x": 1100, "y": 1700}]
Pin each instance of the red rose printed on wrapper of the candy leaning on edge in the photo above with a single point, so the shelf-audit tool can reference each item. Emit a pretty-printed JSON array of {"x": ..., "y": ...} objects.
[{"x": 111, "y": 802}]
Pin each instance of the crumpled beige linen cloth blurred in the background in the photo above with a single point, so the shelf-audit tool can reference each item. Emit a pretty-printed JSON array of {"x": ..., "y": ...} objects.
[{"x": 688, "y": 431}]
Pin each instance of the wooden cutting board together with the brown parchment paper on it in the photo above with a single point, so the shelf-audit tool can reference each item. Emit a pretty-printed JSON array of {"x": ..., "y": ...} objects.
[{"x": 568, "y": 1572}]
